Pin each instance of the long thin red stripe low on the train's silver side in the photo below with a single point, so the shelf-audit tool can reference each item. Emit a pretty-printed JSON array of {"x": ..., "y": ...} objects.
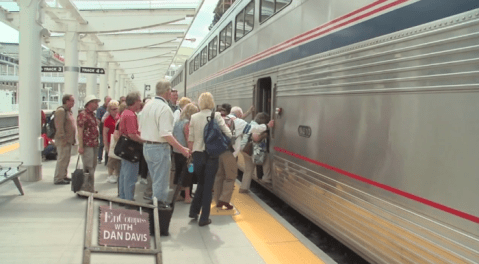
[{"x": 441, "y": 207}]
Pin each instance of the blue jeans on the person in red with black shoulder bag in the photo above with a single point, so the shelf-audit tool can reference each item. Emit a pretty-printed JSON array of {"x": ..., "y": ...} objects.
[{"x": 127, "y": 181}]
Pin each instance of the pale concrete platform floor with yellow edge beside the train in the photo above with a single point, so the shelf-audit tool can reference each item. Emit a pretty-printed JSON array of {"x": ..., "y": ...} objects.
[{"x": 47, "y": 225}]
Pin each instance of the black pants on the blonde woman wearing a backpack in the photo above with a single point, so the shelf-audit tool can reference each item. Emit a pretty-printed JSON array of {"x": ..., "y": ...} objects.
[{"x": 205, "y": 170}]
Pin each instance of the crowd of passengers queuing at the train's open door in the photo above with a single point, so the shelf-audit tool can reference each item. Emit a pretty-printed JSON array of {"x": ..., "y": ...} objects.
[{"x": 167, "y": 131}]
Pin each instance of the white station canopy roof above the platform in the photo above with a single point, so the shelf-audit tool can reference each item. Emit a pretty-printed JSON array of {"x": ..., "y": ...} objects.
[{"x": 141, "y": 37}]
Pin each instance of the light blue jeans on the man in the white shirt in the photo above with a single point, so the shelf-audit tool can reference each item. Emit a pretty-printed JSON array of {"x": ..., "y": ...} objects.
[{"x": 158, "y": 158}]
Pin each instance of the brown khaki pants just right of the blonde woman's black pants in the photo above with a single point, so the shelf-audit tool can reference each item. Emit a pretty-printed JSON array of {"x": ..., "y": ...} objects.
[{"x": 225, "y": 177}]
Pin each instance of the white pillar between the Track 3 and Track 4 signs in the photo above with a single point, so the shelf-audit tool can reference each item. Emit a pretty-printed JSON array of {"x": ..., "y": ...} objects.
[{"x": 71, "y": 68}]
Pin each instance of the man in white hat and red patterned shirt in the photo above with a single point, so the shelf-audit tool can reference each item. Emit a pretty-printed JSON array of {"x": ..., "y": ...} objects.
[{"x": 88, "y": 141}]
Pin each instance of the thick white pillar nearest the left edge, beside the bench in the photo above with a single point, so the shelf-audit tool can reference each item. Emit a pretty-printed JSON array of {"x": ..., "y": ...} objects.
[{"x": 29, "y": 90}]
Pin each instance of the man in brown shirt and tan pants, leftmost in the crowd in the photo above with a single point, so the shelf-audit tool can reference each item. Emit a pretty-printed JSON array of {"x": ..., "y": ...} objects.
[{"x": 64, "y": 138}]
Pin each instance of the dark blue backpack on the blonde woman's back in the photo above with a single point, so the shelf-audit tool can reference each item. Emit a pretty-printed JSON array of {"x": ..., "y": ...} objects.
[{"x": 215, "y": 141}]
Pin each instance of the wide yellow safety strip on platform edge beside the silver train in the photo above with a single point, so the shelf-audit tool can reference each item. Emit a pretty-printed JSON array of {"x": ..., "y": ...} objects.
[{"x": 272, "y": 240}]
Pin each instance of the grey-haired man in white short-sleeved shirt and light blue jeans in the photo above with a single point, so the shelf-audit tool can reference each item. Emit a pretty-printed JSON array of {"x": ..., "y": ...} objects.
[{"x": 156, "y": 126}]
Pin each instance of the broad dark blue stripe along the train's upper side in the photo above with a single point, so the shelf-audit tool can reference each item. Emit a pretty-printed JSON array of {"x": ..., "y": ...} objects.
[{"x": 412, "y": 15}]
